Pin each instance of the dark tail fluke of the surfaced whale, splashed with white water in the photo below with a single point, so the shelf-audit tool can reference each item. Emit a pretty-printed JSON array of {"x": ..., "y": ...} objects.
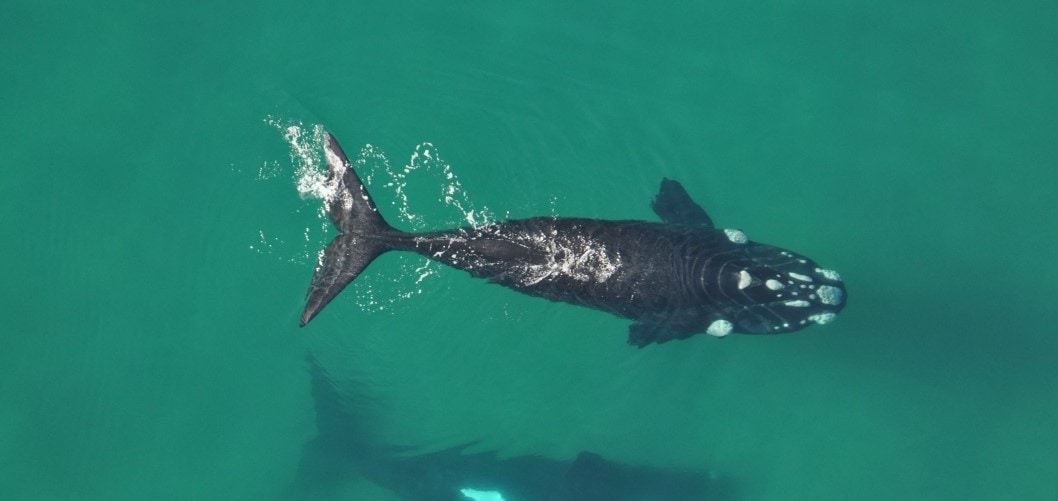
[{"x": 362, "y": 233}]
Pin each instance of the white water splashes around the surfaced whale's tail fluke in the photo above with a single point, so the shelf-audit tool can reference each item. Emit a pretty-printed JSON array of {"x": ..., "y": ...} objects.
[{"x": 425, "y": 170}]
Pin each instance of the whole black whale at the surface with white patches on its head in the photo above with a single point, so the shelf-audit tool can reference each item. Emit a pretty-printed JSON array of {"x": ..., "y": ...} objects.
[{"x": 673, "y": 280}]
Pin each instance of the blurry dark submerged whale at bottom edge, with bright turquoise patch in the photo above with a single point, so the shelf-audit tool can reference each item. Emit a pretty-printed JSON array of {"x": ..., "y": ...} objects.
[{"x": 348, "y": 447}]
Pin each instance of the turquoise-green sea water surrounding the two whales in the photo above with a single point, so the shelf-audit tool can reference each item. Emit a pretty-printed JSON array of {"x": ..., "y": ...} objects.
[{"x": 157, "y": 249}]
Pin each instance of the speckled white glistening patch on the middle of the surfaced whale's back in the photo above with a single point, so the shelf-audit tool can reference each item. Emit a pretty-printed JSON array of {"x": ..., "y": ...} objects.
[{"x": 569, "y": 256}]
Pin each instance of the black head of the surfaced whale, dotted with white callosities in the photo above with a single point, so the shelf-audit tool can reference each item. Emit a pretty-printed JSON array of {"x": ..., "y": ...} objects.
[{"x": 765, "y": 290}]
